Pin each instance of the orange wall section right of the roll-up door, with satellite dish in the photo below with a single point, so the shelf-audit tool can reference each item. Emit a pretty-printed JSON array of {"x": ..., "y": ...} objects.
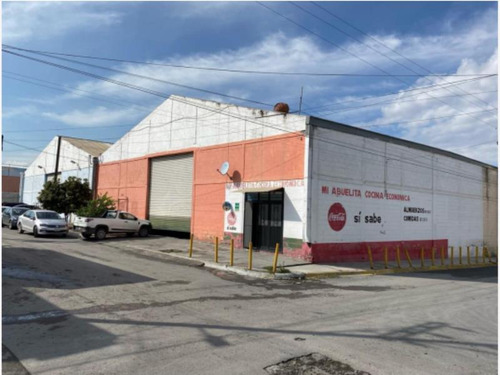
[{"x": 268, "y": 159}]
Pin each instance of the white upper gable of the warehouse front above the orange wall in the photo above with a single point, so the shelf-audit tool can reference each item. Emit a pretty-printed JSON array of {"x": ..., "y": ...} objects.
[{"x": 180, "y": 123}]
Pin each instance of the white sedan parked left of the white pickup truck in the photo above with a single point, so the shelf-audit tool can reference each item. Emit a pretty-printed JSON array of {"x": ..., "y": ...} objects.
[{"x": 42, "y": 222}]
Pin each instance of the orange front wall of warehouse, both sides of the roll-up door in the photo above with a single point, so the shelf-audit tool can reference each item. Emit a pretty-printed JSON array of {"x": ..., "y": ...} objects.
[{"x": 266, "y": 159}]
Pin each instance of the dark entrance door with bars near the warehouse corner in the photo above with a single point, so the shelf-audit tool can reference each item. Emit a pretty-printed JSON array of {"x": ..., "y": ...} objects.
[{"x": 264, "y": 219}]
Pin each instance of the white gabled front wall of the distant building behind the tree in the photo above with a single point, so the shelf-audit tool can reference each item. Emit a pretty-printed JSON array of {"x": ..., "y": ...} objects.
[{"x": 34, "y": 177}]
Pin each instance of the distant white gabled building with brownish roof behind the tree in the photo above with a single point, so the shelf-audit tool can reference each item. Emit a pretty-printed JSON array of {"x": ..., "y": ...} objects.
[{"x": 76, "y": 158}]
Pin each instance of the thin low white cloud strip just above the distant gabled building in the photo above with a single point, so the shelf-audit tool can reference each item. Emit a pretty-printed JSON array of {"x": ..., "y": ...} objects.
[{"x": 94, "y": 117}]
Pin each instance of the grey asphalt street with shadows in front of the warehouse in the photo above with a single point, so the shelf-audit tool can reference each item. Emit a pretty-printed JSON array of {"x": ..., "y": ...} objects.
[{"x": 86, "y": 307}]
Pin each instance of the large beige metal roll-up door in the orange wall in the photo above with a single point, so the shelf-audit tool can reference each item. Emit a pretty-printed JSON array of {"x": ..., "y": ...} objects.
[{"x": 171, "y": 188}]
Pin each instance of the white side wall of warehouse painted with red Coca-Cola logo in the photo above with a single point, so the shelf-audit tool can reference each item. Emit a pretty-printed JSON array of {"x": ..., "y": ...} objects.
[{"x": 449, "y": 190}]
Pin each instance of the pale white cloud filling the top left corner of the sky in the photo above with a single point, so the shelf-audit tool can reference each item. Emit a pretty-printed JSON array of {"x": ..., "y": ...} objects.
[{"x": 24, "y": 21}]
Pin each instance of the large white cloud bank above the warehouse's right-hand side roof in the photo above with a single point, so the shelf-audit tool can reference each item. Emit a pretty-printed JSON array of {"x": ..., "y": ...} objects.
[{"x": 472, "y": 135}]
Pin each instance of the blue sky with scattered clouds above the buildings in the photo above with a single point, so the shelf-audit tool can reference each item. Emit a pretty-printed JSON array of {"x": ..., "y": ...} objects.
[{"x": 414, "y": 70}]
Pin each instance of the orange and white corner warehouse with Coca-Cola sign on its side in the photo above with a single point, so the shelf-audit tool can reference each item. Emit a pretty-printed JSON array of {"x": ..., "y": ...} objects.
[{"x": 323, "y": 190}]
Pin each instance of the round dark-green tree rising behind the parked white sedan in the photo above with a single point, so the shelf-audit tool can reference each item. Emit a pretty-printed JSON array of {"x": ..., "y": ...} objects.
[{"x": 65, "y": 197}]
